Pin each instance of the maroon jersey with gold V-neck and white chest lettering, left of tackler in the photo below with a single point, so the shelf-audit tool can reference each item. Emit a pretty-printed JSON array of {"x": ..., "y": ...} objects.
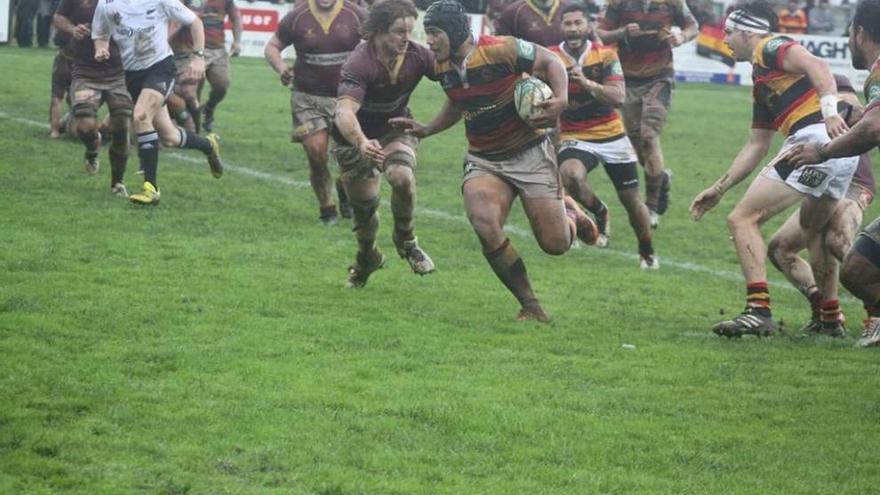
[{"x": 322, "y": 42}]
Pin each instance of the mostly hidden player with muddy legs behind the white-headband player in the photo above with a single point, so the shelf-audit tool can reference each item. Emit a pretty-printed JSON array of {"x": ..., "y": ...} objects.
[{"x": 787, "y": 242}]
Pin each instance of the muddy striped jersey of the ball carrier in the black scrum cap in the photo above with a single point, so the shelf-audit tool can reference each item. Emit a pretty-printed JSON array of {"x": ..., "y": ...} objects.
[{"x": 483, "y": 90}]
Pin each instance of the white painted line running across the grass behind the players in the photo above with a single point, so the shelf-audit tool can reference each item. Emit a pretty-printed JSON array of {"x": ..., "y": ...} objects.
[{"x": 519, "y": 231}]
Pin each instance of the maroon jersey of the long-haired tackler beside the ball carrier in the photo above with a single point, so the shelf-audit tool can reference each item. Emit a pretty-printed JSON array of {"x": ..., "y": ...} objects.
[{"x": 382, "y": 91}]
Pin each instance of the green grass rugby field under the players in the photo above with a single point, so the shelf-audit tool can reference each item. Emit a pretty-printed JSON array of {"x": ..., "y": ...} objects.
[{"x": 207, "y": 346}]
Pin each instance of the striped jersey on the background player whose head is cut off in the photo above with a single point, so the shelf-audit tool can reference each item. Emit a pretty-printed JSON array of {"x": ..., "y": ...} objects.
[{"x": 649, "y": 56}]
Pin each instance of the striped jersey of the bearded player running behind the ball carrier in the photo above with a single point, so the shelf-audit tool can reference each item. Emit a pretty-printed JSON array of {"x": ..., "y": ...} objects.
[{"x": 585, "y": 118}]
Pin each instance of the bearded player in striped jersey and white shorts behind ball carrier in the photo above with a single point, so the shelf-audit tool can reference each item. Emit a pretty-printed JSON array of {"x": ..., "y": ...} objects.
[{"x": 591, "y": 131}]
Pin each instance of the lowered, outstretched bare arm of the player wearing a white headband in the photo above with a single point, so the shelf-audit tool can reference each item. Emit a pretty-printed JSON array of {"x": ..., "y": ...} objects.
[{"x": 745, "y": 162}]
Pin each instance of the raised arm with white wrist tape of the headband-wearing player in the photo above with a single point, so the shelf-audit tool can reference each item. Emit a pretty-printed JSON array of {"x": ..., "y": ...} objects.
[{"x": 798, "y": 60}]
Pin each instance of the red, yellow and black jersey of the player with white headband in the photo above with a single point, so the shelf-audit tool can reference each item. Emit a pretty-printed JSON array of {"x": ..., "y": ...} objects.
[{"x": 782, "y": 100}]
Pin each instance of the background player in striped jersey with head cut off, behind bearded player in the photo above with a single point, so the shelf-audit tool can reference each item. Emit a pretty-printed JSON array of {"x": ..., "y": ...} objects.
[{"x": 643, "y": 32}]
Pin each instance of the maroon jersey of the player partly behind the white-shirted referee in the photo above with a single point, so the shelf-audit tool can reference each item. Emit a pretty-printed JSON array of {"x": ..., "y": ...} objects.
[{"x": 83, "y": 51}]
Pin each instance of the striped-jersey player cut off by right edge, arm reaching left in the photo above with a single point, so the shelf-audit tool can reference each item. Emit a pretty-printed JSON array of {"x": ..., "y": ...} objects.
[{"x": 861, "y": 267}]
